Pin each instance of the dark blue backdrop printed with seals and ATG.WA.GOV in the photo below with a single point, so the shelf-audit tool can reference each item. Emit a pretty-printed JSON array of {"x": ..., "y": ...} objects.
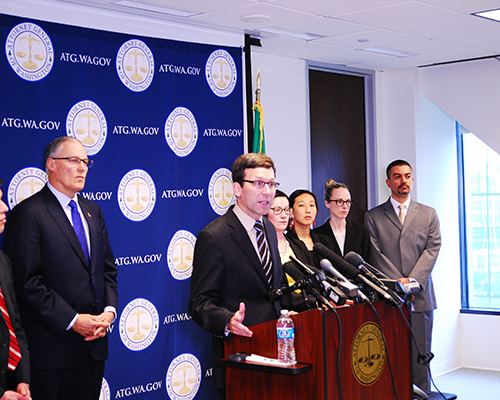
[{"x": 163, "y": 122}]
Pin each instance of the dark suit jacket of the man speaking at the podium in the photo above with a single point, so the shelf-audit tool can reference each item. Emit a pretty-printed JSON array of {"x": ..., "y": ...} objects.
[{"x": 227, "y": 271}]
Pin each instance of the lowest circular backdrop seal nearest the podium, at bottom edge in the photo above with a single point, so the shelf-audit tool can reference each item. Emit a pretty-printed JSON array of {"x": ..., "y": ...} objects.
[{"x": 183, "y": 377}]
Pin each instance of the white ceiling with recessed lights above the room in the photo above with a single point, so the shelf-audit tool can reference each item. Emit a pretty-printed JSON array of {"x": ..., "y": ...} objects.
[{"x": 432, "y": 31}]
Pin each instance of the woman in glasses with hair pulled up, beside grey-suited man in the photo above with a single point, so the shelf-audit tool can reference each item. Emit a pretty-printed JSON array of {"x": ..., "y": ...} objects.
[{"x": 346, "y": 236}]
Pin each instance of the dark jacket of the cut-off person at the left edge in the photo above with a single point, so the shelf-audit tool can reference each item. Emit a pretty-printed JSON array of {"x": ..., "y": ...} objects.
[{"x": 22, "y": 371}]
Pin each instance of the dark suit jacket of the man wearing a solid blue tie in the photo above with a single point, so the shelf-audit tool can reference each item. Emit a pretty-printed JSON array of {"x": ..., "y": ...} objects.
[{"x": 53, "y": 280}]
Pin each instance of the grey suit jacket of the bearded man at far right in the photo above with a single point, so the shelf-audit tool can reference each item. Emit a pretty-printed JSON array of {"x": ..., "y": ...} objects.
[{"x": 408, "y": 250}]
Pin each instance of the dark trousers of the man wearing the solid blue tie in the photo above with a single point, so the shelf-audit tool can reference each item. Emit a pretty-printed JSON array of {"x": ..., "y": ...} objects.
[{"x": 80, "y": 382}]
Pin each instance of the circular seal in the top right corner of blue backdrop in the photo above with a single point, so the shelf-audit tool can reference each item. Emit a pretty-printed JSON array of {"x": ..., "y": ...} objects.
[{"x": 221, "y": 74}]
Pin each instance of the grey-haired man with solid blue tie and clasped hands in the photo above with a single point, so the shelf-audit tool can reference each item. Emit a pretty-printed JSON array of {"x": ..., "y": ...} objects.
[{"x": 65, "y": 278}]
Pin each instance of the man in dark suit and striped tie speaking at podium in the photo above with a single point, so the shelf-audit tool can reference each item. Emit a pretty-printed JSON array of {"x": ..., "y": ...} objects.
[{"x": 229, "y": 285}]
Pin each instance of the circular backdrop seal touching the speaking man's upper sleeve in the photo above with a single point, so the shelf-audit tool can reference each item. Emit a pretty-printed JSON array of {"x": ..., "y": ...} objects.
[{"x": 180, "y": 255}]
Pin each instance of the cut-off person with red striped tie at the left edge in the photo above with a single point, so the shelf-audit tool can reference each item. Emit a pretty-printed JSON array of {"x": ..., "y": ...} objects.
[{"x": 14, "y": 373}]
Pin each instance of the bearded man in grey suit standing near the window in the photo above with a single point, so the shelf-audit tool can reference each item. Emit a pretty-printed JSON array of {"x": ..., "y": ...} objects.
[{"x": 406, "y": 241}]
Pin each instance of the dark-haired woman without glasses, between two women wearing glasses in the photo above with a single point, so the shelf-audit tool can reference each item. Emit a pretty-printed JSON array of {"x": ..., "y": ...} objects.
[{"x": 304, "y": 208}]
